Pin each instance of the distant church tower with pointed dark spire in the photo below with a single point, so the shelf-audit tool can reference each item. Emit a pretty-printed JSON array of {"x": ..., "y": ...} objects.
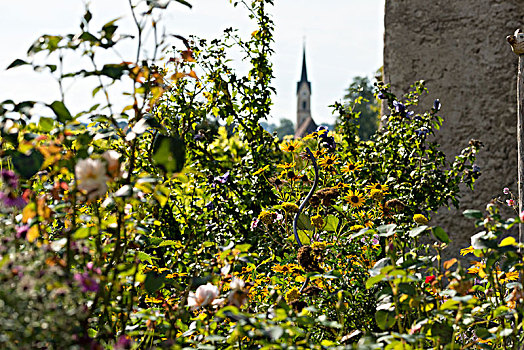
[{"x": 305, "y": 123}]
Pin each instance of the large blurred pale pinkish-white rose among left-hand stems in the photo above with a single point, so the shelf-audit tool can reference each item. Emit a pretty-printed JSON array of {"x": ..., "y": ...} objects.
[{"x": 91, "y": 177}]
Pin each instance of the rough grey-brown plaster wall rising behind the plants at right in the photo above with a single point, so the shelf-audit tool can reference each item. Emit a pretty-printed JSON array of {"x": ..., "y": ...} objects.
[{"x": 458, "y": 47}]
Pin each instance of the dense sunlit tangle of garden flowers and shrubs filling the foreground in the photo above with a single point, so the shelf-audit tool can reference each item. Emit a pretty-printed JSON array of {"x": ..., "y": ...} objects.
[{"x": 177, "y": 221}]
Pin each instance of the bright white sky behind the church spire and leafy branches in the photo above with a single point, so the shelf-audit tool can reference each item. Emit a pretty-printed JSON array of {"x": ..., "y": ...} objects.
[{"x": 343, "y": 38}]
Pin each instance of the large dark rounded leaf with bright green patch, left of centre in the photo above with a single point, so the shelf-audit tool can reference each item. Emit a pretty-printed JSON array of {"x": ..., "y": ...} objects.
[{"x": 169, "y": 153}]
